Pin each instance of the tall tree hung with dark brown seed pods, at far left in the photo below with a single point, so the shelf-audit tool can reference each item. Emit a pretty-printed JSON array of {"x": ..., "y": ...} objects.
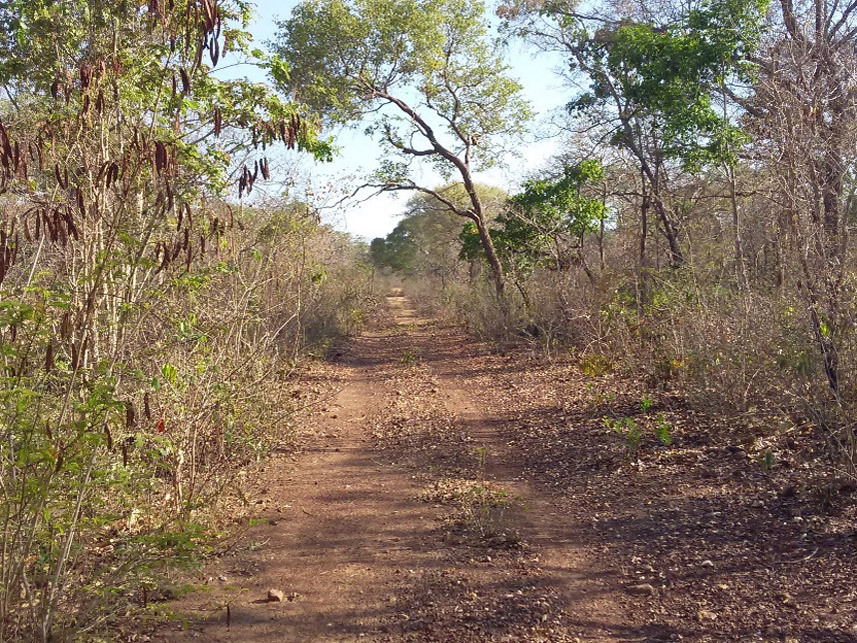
[{"x": 118, "y": 151}]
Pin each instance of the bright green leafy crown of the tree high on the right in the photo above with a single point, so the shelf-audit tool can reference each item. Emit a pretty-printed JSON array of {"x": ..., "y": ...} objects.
[{"x": 673, "y": 75}]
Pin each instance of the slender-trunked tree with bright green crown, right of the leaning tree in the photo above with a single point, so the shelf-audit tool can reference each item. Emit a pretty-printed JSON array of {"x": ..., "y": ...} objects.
[{"x": 656, "y": 81}]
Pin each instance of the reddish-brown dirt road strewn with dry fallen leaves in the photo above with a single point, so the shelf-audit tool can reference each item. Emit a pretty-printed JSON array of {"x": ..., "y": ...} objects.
[{"x": 426, "y": 508}]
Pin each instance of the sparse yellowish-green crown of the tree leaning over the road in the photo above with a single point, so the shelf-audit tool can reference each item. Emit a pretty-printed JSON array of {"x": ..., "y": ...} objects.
[{"x": 348, "y": 58}]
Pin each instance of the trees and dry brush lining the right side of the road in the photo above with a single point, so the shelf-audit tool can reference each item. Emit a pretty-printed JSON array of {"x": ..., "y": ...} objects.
[{"x": 695, "y": 230}]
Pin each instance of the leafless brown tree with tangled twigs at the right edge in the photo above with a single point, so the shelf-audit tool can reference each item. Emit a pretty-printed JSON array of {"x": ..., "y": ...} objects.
[{"x": 803, "y": 115}]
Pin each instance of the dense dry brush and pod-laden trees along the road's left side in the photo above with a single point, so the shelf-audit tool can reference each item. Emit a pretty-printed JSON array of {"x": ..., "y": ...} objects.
[{"x": 148, "y": 320}]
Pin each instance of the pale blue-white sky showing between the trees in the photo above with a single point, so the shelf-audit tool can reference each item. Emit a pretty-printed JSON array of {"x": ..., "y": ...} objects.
[{"x": 377, "y": 216}]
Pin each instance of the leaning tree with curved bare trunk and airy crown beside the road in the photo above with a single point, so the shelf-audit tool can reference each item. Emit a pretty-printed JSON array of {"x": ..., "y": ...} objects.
[{"x": 425, "y": 75}]
